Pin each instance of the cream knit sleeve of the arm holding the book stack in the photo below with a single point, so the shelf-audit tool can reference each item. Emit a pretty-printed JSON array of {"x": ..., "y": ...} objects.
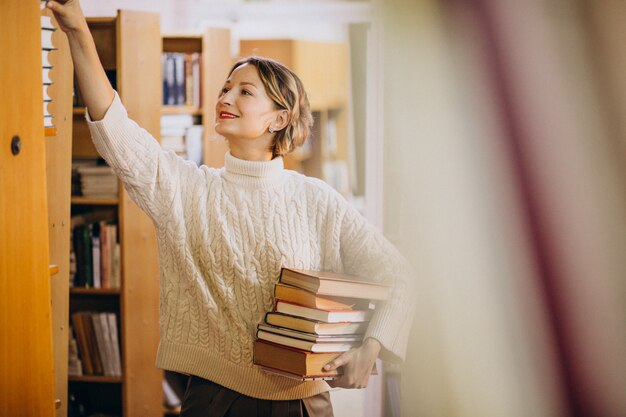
[{"x": 367, "y": 253}]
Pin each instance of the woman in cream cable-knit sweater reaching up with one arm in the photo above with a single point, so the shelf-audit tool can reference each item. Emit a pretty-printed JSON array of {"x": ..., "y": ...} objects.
[{"x": 224, "y": 234}]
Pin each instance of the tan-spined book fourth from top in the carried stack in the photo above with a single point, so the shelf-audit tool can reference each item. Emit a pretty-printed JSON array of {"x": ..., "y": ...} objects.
[{"x": 314, "y": 327}]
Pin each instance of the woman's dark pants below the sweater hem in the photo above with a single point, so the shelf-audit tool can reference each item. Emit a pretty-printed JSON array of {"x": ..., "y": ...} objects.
[{"x": 204, "y": 398}]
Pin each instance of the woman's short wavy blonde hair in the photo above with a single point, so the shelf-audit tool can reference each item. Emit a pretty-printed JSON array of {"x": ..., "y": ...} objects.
[{"x": 285, "y": 89}]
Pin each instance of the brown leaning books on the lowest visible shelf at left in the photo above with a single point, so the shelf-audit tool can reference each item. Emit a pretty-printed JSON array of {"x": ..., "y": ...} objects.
[{"x": 94, "y": 347}]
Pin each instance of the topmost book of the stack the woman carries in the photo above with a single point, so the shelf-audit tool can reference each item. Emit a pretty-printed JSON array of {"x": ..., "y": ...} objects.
[{"x": 333, "y": 283}]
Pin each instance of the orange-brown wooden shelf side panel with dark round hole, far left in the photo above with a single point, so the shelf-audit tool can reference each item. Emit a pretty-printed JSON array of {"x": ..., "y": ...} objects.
[{"x": 27, "y": 361}]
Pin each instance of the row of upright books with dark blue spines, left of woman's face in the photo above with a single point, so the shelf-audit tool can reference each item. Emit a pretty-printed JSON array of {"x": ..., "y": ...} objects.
[{"x": 181, "y": 79}]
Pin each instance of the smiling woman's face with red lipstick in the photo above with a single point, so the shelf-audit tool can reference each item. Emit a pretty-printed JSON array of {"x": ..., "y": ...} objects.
[{"x": 243, "y": 110}]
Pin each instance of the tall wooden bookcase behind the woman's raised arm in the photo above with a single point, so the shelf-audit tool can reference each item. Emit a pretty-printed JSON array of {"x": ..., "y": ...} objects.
[{"x": 129, "y": 47}]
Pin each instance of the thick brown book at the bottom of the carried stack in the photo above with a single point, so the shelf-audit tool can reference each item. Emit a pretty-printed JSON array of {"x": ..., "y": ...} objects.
[{"x": 297, "y": 362}]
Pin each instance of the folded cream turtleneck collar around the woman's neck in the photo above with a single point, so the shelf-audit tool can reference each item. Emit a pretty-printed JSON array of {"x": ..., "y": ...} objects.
[{"x": 253, "y": 174}]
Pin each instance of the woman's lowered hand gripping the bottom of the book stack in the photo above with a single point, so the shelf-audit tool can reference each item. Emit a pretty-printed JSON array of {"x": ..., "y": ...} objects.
[{"x": 357, "y": 365}]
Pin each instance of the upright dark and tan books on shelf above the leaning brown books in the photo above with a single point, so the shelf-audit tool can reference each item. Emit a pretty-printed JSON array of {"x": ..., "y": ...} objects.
[{"x": 94, "y": 254}]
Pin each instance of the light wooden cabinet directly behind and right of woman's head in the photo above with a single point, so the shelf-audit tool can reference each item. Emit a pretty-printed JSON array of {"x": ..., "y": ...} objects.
[{"x": 328, "y": 92}]
